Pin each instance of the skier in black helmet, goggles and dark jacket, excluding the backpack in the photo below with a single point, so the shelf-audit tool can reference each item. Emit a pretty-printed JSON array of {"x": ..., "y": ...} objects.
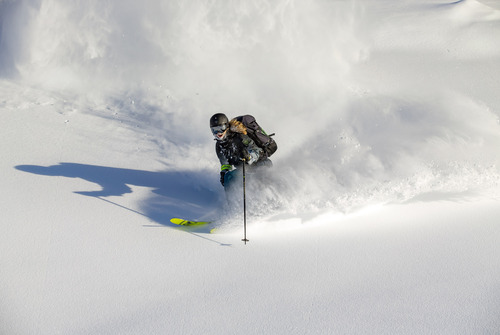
[{"x": 234, "y": 148}]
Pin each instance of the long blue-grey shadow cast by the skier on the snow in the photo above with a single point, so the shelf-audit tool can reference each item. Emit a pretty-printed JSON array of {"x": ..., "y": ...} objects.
[{"x": 176, "y": 194}]
